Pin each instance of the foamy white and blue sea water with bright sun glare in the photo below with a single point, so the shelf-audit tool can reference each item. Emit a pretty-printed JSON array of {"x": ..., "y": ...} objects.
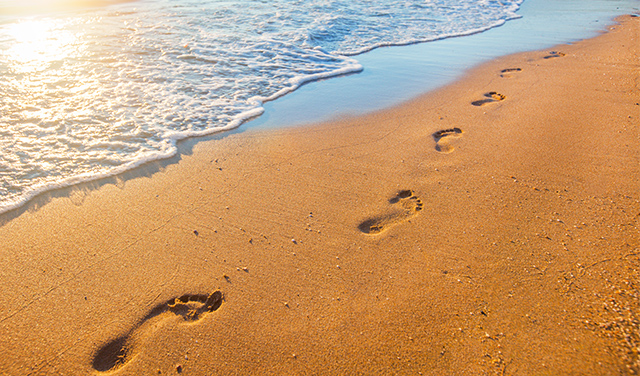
[{"x": 91, "y": 92}]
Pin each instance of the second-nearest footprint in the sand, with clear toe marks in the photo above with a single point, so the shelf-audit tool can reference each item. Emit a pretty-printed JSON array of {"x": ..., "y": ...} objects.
[{"x": 407, "y": 206}]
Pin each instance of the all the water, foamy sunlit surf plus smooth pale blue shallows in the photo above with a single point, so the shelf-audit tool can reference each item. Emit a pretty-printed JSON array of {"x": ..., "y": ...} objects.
[{"x": 92, "y": 92}]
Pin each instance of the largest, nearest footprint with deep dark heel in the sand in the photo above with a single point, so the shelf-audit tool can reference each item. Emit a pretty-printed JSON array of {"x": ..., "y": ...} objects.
[{"x": 191, "y": 308}]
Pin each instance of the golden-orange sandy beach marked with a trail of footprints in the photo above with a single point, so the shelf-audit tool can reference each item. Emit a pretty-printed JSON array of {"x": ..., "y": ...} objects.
[{"x": 487, "y": 228}]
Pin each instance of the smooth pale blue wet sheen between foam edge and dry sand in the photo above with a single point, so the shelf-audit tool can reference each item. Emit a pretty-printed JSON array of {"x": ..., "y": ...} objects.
[{"x": 396, "y": 74}]
